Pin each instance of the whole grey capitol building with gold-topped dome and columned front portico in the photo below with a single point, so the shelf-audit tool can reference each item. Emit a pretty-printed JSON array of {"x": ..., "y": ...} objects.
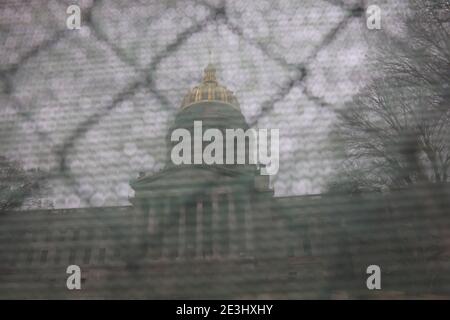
[{"x": 202, "y": 231}]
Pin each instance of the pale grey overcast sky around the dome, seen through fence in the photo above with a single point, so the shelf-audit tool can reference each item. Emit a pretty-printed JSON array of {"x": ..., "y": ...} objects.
[{"x": 291, "y": 64}]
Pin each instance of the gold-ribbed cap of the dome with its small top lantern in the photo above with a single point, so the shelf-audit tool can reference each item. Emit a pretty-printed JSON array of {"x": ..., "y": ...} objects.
[{"x": 209, "y": 90}]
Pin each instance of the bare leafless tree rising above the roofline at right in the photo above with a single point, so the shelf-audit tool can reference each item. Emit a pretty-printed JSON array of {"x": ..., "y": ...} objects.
[{"x": 395, "y": 133}]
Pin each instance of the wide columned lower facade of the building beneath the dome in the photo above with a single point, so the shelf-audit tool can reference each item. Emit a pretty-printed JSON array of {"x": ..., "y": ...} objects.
[{"x": 253, "y": 246}]
